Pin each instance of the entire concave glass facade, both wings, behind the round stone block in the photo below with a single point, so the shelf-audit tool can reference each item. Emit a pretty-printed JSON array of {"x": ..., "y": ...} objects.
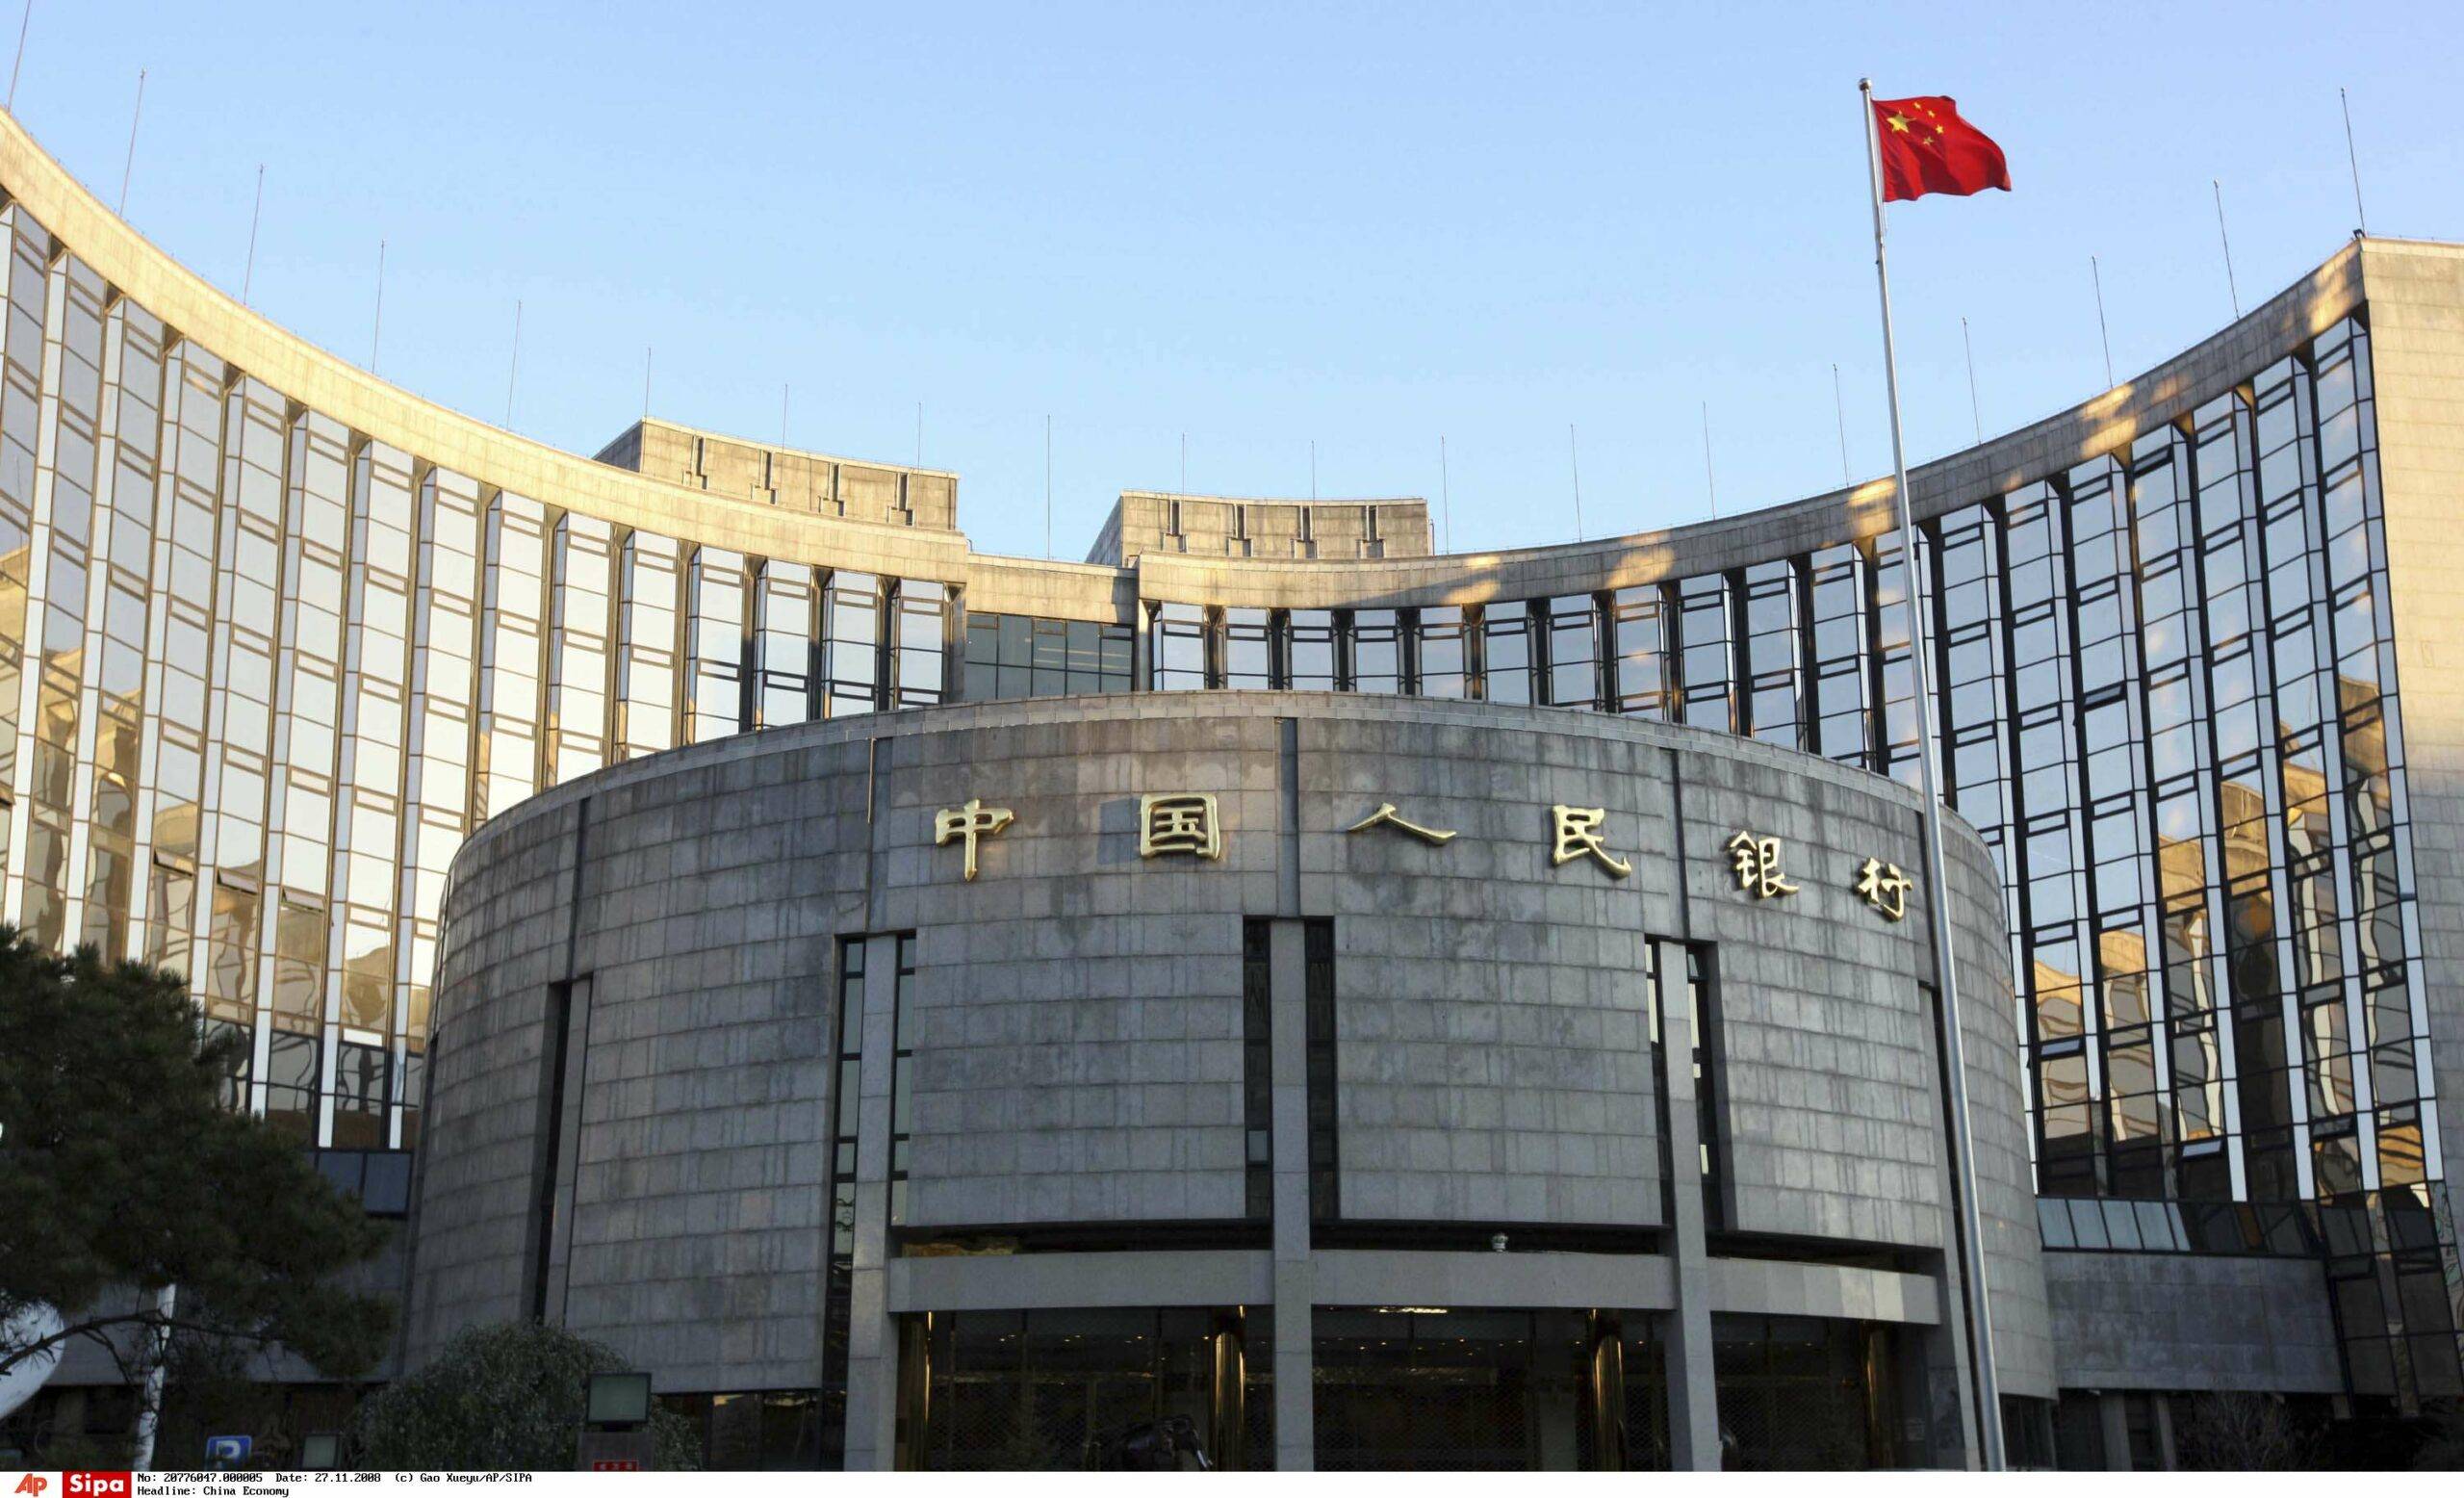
[{"x": 265, "y": 671}]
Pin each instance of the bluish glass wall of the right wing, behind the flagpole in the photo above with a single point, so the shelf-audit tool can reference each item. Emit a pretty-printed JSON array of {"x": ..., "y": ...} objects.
[{"x": 2167, "y": 698}]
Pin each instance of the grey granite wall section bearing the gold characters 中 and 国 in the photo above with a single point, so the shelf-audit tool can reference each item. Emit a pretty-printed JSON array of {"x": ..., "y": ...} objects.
[{"x": 1078, "y": 1011}]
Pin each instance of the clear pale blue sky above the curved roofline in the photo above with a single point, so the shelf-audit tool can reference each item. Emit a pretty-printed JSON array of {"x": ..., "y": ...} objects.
[{"x": 1260, "y": 225}]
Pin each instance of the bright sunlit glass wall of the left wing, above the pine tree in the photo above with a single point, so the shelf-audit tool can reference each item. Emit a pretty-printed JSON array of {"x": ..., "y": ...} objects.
[{"x": 260, "y": 676}]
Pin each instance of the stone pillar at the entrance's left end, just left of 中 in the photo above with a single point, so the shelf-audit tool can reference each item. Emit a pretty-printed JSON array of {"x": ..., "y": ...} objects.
[{"x": 873, "y": 1346}]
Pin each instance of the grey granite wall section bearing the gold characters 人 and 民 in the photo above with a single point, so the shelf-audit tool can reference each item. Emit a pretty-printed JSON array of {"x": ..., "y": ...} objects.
[{"x": 1492, "y": 1011}]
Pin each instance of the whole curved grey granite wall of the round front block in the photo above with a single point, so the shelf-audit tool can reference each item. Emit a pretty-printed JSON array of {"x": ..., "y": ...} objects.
[{"x": 1076, "y": 1019}]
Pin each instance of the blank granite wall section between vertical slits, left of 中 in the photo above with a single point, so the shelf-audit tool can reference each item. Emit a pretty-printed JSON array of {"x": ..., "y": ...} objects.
[{"x": 708, "y": 915}]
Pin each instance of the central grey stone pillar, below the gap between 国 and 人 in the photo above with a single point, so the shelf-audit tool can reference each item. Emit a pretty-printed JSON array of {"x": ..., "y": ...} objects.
[{"x": 1295, "y": 1282}]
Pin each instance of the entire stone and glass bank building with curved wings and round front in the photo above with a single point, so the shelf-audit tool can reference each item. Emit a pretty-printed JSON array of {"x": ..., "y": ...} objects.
[{"x": 1408, "y": 1009}]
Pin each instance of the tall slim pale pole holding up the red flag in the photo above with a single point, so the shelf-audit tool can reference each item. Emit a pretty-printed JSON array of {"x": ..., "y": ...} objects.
[{"x": 1935, "y": 881}]
